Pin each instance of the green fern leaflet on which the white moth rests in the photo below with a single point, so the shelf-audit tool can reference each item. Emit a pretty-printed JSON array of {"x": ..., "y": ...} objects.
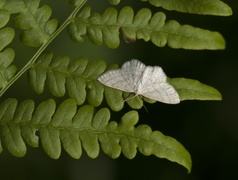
[{"x": 79, "y": 78}]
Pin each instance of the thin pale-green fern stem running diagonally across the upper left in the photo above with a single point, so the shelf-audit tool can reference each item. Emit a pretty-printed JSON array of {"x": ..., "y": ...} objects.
[{"x": 42, "y": 48}]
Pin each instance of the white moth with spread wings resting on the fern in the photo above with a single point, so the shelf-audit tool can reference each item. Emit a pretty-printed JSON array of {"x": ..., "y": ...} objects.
[{"x": 143, "y": 80}]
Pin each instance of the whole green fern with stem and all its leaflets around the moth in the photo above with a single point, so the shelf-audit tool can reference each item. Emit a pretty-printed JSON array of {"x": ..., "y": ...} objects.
[{"x": 80, "y": 121}]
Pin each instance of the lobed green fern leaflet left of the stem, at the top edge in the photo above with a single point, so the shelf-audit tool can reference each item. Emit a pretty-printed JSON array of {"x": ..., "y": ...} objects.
[{"x": 33, "y": 20}]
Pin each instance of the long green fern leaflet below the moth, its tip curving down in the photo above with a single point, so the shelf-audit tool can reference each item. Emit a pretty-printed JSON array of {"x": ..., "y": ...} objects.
[{"x": 82, "y": 128}]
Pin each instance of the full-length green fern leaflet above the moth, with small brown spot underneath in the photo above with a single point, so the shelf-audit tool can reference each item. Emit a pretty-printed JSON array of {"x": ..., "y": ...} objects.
[{"x": 144, "y": 26}]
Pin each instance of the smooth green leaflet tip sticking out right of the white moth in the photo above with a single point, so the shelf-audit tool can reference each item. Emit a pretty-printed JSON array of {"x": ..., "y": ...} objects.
[{"x": 189, "y": 89}]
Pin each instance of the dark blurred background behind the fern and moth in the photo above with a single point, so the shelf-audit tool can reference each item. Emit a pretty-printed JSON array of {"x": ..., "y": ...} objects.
[{"x": 207, "y": 129}]
